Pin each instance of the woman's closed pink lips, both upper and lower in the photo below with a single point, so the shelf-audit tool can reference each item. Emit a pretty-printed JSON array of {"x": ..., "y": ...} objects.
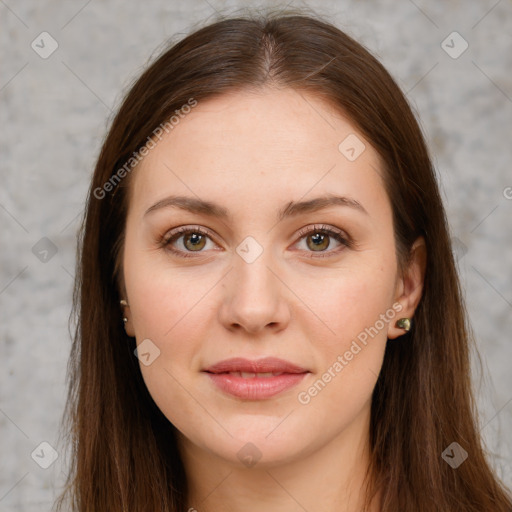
[{"x": 255, "y": 380}]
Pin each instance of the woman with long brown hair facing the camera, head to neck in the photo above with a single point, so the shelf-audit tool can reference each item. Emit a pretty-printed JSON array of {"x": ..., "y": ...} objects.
[{"x": 269, "y": 314}]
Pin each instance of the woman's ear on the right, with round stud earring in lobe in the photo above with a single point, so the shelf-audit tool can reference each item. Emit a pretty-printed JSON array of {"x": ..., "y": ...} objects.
[{"x": 409, "y": 287}]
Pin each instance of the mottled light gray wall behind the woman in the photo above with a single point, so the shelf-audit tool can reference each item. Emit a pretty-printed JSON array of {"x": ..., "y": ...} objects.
[{"x": 54, "y": 113}]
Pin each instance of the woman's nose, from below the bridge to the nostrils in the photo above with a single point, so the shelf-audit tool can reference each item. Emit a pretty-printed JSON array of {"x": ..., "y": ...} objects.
[{"x": 254, "y": 297}]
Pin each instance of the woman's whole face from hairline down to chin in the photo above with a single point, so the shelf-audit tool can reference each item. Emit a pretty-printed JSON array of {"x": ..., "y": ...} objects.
[{"x": 266, "y": 276}]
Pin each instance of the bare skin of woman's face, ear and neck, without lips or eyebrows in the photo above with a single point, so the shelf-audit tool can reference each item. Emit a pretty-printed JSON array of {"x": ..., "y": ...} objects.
[{"x": 253, "y": 153}]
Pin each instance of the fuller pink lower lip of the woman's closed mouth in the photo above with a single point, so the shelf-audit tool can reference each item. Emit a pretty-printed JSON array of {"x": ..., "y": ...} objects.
[{"x": 255, "y": 388}]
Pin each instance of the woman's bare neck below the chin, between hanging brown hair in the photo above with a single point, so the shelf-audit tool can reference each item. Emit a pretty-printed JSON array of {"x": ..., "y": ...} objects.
[{"x": 329, "y": 479}]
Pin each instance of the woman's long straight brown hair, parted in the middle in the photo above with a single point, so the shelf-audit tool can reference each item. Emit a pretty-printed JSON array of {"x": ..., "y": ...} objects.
[{"x": 124, "y": 455}]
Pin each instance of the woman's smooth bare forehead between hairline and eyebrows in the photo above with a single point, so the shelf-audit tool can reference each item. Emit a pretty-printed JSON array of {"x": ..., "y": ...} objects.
[{"x": 254, "y": 146}]
